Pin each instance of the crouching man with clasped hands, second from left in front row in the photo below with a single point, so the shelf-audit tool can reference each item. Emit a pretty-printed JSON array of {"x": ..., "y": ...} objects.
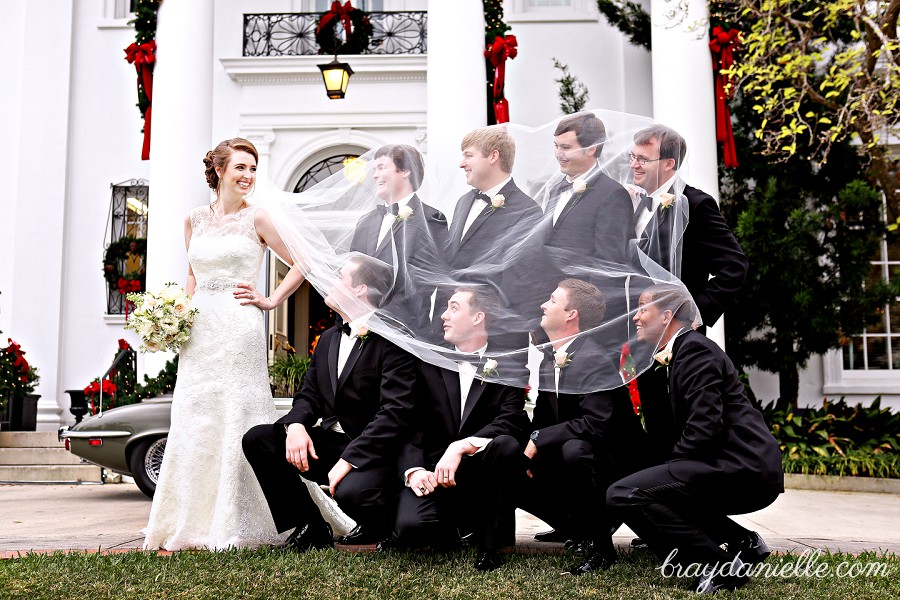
[{"x": 460, "y": 467}]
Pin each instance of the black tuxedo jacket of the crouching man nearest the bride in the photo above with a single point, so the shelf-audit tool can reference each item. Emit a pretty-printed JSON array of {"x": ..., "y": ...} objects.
[{"x": 372, "y": 399}]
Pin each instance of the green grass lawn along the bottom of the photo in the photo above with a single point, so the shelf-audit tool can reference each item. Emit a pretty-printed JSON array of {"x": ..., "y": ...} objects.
[{"x": 334, "y": 574}]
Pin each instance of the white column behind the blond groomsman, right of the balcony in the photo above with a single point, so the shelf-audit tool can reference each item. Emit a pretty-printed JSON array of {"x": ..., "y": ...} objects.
[{"x": 456, "y": 90}]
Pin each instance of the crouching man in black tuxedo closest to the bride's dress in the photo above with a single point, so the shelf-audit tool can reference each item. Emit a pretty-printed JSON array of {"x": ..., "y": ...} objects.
[{"x": 360, "y": 385}]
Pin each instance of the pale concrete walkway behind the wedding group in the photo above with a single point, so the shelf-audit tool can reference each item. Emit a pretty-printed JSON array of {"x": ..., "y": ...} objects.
[{"x": 110, "y": 517}]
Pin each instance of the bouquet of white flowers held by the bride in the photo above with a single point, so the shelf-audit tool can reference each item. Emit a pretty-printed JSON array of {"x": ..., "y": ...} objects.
[{"x": 162, "y": 320}]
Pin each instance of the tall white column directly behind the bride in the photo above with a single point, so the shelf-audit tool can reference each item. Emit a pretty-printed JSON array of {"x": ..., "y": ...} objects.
[{"x": 181, "y": 132}]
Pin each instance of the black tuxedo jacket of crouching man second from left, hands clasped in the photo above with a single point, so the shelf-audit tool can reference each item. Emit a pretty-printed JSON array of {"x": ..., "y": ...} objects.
[{"x": 491, "y": 410}]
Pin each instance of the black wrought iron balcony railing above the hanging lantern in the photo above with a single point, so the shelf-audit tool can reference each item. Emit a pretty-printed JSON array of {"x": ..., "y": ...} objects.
[{"x": 294, "y": 34}]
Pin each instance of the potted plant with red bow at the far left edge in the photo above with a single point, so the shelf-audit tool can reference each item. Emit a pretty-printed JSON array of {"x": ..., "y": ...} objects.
[{"x": 18, "y": 379}]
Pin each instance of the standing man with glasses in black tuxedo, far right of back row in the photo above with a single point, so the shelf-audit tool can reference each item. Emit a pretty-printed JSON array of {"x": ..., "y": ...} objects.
[{"x": 712, "y": 265}]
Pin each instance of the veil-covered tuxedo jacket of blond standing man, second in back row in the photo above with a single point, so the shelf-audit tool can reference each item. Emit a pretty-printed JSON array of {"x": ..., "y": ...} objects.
[{"x": 493, "y": 249}]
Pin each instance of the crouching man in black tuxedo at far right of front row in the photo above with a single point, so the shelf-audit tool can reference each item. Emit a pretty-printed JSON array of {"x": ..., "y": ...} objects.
[{"x": 722, "y": 459}]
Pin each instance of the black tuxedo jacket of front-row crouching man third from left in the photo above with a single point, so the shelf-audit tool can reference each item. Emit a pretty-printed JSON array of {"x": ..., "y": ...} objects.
[{"x": 605, "y": 418}]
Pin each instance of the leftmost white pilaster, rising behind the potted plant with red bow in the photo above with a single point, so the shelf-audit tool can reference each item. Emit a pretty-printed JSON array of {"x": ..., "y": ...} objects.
[{"x": 40, "y": 182}]
